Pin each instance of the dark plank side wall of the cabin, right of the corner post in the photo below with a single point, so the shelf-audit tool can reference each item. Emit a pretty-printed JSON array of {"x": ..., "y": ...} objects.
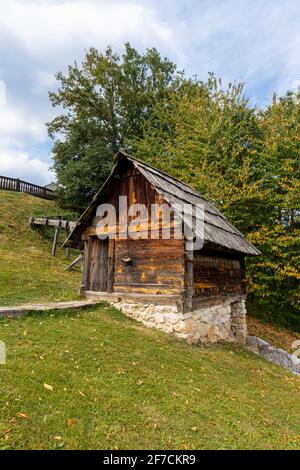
[{"x": 218, "y": 273}]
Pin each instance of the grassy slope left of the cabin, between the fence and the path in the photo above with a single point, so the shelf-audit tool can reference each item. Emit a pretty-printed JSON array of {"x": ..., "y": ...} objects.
[{"x": 28, "y": 272}]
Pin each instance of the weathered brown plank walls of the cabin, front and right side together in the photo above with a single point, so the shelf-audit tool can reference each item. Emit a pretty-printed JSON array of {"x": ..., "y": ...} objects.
[{"x": 153, "y": 266}]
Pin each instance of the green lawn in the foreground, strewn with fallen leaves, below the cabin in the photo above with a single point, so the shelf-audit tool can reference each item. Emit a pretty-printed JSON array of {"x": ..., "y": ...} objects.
[{"x": 119, "y": 385}]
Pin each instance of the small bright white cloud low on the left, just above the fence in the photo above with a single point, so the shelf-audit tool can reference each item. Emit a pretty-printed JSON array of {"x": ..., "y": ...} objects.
[{"x": 17, "y": 164}]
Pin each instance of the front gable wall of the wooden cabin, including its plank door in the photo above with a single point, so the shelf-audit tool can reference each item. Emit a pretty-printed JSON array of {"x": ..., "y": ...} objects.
[{"x": 146, "y": 266}]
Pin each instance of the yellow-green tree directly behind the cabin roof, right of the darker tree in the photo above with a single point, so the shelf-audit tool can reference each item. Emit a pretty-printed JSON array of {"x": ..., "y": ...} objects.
[{"x": 209, "y": 137}]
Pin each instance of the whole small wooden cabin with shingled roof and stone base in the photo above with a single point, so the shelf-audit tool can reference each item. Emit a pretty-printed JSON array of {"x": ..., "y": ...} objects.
[{"x": 196, "y": 294}]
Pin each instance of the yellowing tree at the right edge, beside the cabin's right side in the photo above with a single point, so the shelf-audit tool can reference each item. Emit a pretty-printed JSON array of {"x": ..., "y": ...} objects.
[{"x": 274, "y": 285}]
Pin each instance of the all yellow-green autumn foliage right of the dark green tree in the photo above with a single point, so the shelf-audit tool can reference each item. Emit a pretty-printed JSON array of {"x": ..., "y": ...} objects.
[{"x": 246, "y": 161}]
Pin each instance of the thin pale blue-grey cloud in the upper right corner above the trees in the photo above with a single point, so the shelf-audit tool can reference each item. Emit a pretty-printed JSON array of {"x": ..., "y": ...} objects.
[{"x": 256, "y": 41}]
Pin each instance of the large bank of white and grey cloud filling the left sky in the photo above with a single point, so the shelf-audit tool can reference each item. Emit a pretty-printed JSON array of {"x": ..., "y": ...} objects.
[{"x": 38, "y": 38}]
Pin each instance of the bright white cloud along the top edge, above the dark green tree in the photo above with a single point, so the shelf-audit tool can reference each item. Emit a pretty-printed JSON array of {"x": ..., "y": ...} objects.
[{"x": 48, "y": 29}]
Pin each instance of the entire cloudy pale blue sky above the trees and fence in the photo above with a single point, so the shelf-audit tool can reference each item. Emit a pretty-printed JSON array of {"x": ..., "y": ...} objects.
[{"x": 254, "y": 41}]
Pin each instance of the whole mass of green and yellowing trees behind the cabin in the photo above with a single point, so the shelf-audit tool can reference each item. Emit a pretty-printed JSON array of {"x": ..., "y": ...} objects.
[{"x": 243, "y": 158}]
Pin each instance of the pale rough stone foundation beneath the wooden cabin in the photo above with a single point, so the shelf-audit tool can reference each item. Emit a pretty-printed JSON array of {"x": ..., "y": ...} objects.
[{"x": 221, "y": 320}]
